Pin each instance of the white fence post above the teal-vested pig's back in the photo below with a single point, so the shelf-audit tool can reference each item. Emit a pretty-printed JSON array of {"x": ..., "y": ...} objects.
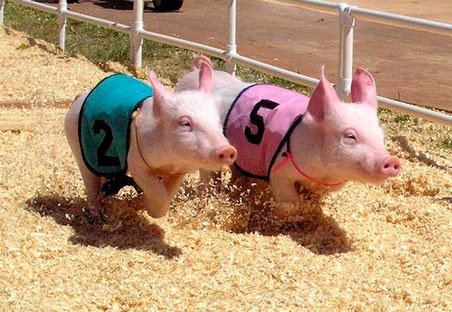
[{"x": 136, "y": 41}]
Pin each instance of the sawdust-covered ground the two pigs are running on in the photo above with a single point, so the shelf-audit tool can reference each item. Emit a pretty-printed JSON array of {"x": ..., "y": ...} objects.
[{"x": 365, "y": 248}]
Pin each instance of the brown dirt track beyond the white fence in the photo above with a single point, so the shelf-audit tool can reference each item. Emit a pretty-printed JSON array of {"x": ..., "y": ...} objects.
[{"x": 408, "y": 65}]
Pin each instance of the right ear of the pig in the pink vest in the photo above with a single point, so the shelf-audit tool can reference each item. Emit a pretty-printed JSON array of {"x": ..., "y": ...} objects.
[{"x": 363, "y": 88}]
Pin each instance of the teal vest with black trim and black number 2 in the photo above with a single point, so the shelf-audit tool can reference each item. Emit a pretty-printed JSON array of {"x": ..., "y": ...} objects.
[{"x": 104, "y": 123}]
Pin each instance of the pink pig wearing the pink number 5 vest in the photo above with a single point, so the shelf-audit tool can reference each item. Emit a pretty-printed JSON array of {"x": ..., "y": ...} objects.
[{"x": 289, "y": 139}]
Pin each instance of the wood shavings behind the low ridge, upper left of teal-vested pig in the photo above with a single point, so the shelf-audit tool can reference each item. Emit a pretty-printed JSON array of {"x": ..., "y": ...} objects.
[{"x": 61, "y": 80}]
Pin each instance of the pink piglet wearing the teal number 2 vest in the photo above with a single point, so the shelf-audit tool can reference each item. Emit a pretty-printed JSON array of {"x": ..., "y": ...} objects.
[{"x": 152, "y": 141}]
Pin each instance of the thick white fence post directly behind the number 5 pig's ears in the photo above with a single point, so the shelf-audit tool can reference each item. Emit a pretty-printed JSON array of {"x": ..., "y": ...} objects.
[{"x": 346, "y": 26}]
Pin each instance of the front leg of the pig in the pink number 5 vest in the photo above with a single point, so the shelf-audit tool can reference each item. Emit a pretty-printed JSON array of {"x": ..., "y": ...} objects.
[{"x": 286, "y": 195}]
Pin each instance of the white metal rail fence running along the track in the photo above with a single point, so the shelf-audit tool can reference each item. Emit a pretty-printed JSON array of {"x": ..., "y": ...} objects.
[{"x": 347, "y": 16}]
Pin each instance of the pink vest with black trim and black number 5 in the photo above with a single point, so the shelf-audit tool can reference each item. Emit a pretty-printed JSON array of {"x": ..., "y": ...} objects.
[{"x": 259, "y": 124}]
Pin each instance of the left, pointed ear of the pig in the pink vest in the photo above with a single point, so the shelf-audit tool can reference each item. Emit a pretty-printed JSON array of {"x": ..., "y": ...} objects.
[{"x": 323, "y": 99}]
